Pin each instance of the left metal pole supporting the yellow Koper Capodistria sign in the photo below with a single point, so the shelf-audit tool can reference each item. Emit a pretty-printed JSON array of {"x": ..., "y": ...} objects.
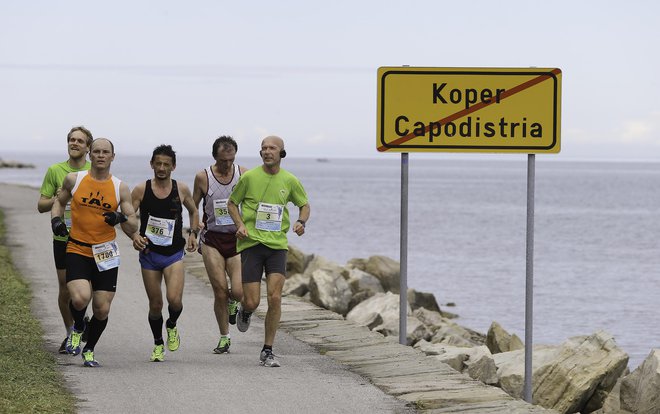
[{"x": 403, "y": 259}]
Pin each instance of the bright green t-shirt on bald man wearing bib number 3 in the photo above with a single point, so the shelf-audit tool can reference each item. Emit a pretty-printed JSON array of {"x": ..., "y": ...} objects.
[{"x": 263, "y": 198}]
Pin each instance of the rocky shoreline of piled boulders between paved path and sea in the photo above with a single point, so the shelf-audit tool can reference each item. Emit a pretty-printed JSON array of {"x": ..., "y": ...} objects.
[{"x": 586, "y": 374}]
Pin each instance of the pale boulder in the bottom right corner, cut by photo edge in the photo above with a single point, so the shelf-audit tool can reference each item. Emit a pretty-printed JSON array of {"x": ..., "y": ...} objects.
[{"x": 640, "y": 391}]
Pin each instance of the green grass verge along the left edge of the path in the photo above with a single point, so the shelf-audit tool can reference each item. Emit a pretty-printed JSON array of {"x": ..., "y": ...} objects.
[{"x": 29, "y": 379}]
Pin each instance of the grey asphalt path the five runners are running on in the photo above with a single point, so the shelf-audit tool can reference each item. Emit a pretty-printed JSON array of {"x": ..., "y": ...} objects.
[{"x": 193, "y": 378}]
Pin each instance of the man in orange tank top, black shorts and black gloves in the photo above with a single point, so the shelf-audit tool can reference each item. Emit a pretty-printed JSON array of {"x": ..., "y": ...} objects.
[{"x": 92, "y": 253}]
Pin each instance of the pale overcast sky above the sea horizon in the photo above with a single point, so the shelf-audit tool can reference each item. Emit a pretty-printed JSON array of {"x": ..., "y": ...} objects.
[{"x": 143, "y": 73}]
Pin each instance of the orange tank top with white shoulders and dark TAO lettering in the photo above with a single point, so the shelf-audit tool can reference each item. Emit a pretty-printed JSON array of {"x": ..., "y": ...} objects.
[{"x": 90, "y": 199}]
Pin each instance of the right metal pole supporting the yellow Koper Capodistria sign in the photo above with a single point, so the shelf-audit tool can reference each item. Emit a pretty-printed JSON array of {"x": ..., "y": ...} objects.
[{"x": 529, "y": 281}]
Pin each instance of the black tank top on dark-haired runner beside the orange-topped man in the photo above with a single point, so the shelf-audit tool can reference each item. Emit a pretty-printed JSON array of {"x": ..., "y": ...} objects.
[{"x": 167, "y": 208}]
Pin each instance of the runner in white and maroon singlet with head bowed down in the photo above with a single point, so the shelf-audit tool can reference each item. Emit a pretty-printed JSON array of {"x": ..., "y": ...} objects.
[{"x": 213, "y": 185}]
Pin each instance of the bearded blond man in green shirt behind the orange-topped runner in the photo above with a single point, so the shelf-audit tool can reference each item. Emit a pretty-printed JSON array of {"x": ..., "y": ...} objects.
[{"x": 79, "y": 141}]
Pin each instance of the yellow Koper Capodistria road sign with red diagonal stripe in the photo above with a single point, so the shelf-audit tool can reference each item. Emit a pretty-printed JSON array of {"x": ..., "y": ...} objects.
[{"x": 469, "y": 110}]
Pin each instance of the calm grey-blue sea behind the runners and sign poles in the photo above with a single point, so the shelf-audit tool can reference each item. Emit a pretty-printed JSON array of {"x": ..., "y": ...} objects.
[{"x": 596, "y": 234}]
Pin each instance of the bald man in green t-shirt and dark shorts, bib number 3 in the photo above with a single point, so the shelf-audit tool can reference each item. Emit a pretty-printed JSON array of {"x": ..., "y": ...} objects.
[{"x": 262, "y": 223}]
